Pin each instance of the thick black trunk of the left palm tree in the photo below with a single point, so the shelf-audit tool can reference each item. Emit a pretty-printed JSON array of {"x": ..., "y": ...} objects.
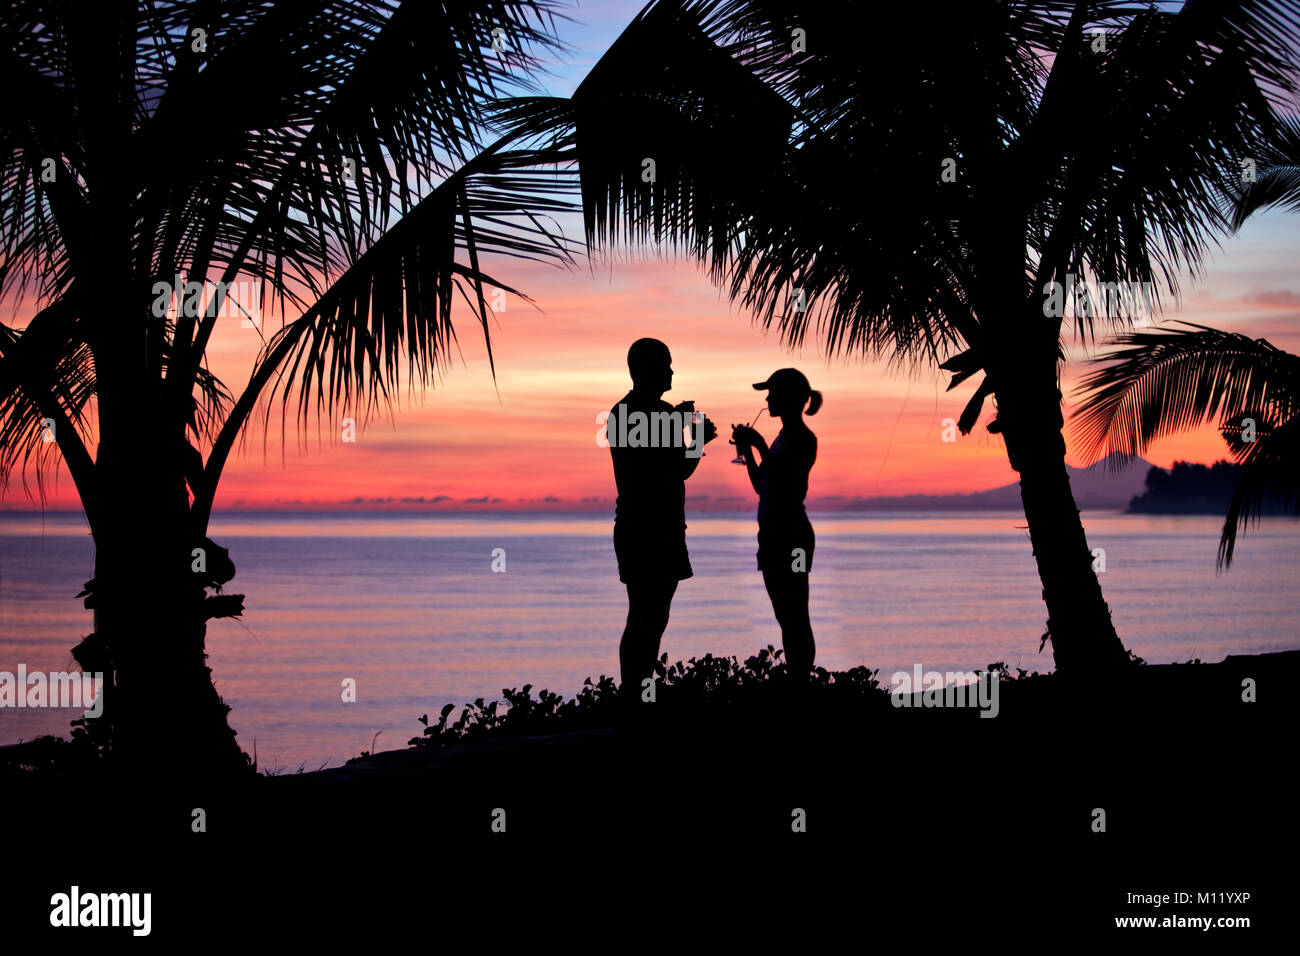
[{"x": 166, "y": 715}]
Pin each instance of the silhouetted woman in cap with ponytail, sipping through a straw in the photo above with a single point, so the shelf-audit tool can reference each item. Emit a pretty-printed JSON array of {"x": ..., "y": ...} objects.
[{"x": 786, "y": 537}]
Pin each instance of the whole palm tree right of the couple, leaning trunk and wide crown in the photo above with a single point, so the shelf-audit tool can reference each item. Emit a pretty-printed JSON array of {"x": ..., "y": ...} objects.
[{"x": 916, "y": 191}]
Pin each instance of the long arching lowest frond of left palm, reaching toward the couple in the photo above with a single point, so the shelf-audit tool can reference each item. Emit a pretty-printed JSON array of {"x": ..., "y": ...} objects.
[{"x": 344, "y": 354}]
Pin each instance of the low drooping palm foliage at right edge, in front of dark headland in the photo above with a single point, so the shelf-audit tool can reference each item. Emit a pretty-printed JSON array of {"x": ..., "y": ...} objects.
[{"x": 1169, "y": 380}]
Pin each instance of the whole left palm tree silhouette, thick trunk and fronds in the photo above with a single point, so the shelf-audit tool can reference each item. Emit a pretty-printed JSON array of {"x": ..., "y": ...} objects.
[{"x": 327, "y": 155}]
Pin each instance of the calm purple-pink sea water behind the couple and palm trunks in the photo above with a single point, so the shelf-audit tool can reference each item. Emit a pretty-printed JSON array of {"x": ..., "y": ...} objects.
[{"x": 409, "y": 607}]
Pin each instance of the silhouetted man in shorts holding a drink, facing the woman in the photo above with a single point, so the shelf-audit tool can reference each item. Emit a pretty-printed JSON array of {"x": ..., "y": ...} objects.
[{"x": 652, "y": 464}]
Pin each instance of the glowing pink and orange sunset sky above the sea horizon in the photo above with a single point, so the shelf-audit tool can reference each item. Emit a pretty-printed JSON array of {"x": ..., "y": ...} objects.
[{"x": 532, "y": 435}]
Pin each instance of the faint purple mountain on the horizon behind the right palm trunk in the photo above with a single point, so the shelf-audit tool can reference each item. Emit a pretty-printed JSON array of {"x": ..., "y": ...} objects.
[{"x": 1111, "y": 483}]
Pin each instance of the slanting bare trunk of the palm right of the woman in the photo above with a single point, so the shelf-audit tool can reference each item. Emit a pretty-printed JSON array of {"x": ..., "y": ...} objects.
[{"x": 1084, "y": 637}]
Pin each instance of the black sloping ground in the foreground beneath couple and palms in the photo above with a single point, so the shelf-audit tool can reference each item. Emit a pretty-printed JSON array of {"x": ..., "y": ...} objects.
[{"x": 921, "y": 828}]
